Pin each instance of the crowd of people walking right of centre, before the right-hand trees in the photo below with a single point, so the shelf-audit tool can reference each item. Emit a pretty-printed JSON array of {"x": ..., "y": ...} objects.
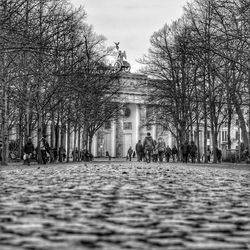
[{"x": 157, "y": 150}]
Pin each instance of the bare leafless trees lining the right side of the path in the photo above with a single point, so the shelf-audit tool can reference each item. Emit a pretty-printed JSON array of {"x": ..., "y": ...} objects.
[{"x": 201, "y": 63}]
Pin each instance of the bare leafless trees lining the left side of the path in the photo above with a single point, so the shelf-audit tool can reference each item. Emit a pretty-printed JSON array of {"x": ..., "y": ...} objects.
[{"x": 53, "y": 71}]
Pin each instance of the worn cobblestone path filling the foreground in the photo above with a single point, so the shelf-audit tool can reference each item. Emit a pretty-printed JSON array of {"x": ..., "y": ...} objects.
[{"x": 124, "y": 206}]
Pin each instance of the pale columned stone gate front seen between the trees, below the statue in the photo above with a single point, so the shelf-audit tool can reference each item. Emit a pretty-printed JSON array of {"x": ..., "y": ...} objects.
[{"x": 130, "y": 127}]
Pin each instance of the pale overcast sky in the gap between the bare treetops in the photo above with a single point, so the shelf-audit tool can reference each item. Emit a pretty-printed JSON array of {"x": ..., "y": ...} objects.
[{"x": 130, "y": 22}]
